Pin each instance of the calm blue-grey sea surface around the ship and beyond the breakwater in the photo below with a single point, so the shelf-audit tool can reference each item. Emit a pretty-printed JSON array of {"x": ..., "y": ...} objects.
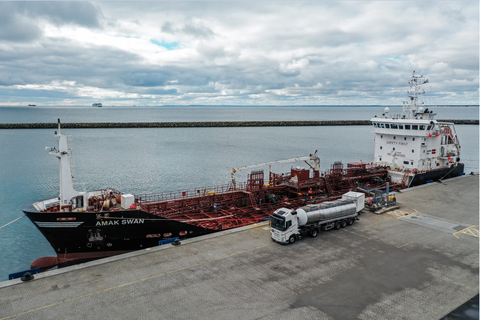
[{"x": 164, "y": 159}]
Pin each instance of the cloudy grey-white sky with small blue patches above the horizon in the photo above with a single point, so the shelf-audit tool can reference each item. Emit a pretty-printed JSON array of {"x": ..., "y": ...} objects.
[{"x": 237, "y": 52}]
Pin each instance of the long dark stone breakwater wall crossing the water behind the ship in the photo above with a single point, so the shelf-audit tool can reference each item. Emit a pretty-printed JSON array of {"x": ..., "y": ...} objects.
[{"x": 103, "y": 125}]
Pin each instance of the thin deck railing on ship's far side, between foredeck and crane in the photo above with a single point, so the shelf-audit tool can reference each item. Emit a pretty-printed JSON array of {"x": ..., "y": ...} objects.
[{"x": 190, "y": 193}]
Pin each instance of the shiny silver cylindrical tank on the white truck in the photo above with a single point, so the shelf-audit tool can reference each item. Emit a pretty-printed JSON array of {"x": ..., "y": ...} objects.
[{"x": 325, "y": 211}]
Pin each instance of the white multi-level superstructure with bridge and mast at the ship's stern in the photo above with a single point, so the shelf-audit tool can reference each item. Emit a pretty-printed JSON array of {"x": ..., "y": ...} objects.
[{"x": 415, "y": 141}]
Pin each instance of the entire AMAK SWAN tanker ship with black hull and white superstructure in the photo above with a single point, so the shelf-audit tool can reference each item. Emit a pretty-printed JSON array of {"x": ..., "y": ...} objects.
[{"x": 410, "y": 149}]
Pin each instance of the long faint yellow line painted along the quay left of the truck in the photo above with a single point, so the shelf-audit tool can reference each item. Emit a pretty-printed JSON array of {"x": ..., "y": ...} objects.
[{"x": 133, "y": 282}]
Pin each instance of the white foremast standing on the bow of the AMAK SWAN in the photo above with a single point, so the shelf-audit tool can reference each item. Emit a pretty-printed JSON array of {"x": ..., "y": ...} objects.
[{"x": 67, "y": 192}]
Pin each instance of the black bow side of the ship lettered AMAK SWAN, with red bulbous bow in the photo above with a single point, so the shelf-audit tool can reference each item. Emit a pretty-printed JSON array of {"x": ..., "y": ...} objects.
[{"x": 83, "y": 236}]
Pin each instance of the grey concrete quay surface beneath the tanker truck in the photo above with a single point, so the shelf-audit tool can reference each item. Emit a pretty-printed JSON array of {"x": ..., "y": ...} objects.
[{"x": 417, "y": 262}]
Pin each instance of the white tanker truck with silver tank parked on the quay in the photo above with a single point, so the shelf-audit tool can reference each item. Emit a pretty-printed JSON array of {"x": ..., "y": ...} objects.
[{"x": 289, "y": 225}]
